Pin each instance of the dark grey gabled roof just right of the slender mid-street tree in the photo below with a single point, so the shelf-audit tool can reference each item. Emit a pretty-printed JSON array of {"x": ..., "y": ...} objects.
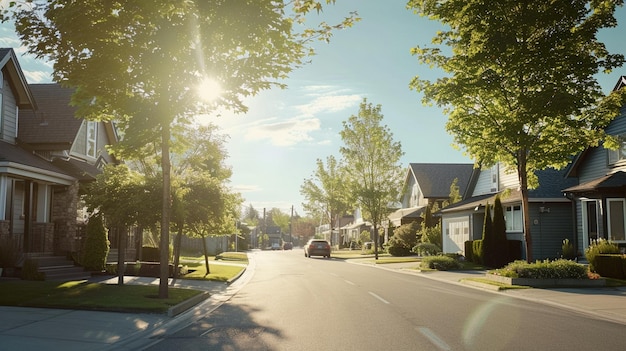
[{"x": 434, "y": 179}]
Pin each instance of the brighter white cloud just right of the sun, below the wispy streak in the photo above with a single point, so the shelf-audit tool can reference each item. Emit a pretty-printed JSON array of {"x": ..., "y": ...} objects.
[{"x": 284, "y": 133}]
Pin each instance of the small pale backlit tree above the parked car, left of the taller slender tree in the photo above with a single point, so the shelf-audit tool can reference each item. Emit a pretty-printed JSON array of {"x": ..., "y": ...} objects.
[{"x": 325, "y": 192}]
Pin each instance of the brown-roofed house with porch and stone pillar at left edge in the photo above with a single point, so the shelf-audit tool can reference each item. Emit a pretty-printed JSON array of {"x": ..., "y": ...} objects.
[{"x": 46, "y": 153}]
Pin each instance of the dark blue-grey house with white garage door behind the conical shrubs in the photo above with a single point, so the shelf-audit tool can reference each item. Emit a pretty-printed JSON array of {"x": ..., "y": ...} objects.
[{"x": 549, "y": 211}]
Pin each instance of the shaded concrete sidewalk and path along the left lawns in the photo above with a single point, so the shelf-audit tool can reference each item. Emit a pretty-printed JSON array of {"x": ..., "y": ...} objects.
[{"x": 27, "y": 329}]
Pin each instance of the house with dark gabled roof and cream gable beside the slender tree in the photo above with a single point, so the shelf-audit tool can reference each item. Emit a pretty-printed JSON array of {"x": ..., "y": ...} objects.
[{"x": 427, "y": 184}]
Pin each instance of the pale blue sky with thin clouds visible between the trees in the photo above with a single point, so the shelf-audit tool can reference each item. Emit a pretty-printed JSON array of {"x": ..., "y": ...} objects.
[{"x": 273, "y": 147}]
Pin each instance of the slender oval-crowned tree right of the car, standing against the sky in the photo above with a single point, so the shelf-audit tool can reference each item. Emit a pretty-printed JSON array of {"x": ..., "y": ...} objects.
[{"x": 374, "y": 172}]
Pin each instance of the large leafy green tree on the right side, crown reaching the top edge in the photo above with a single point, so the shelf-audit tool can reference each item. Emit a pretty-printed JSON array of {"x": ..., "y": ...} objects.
[{"x": 519, "y": 85}]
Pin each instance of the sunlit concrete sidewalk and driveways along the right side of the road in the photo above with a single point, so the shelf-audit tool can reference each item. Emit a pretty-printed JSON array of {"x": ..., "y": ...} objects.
[{"x": 602, "y": 303}]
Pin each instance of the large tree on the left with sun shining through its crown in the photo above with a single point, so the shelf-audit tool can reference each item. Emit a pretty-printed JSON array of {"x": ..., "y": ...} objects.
[{"x": 145, "y": 64}]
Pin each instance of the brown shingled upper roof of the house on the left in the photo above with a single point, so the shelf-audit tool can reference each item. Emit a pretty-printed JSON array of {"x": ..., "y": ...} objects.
[{"x": 54, "y": 122}]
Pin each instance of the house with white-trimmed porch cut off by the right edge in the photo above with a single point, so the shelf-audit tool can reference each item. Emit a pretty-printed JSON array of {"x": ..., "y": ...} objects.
[{"x": 600, "y": 196}]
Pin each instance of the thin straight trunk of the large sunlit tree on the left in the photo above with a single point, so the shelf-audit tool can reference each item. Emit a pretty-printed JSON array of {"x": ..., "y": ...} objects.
[{"x": 165, "y": 215}]
